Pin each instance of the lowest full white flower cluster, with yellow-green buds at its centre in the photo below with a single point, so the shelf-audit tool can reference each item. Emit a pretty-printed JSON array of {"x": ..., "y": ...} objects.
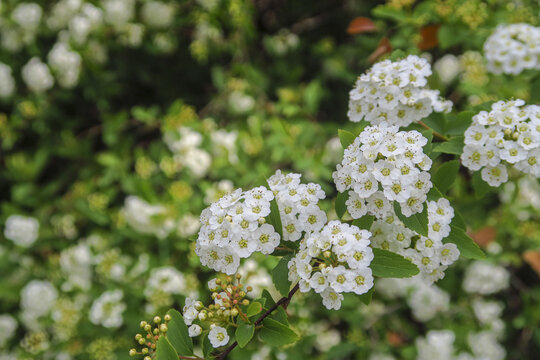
[{"x": 333, "y": 261}]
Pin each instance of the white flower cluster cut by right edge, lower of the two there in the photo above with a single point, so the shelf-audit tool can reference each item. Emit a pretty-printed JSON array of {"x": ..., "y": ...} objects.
[{"x": 508, "y": 134}]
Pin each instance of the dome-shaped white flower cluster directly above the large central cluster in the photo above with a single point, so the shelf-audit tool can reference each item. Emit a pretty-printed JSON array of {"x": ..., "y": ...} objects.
[{"x": 395, "y": 92}]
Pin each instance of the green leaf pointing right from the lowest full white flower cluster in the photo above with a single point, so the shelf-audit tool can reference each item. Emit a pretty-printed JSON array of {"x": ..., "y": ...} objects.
[{"x": 388, "y": 264}]
